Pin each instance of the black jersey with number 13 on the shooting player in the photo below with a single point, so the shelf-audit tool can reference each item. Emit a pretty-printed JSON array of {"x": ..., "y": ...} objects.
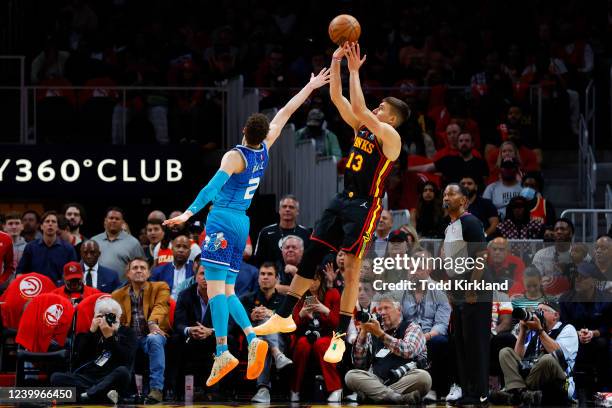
[{"x": 367, "y": 167}]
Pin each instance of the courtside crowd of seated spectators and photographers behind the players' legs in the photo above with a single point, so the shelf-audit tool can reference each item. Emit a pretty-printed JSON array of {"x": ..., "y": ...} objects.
[{"x": 165, "y": 314}]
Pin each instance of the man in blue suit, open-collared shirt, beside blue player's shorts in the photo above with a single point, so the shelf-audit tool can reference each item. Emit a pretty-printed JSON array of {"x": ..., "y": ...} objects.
[{"x": 179, "y": 269}]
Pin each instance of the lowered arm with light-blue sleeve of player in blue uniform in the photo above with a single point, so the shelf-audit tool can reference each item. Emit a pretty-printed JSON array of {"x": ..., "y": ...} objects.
[{"x": 231, "y": 163}]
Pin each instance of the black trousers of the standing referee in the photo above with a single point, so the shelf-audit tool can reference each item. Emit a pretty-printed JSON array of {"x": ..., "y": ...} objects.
[{"x": 472, "y": 330}]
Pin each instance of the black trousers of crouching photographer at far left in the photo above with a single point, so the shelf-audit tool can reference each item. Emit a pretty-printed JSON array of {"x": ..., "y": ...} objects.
[{"x": 118, "y": 379}]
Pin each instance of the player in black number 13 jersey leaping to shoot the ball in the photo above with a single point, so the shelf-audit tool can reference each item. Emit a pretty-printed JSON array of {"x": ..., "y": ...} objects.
[{"x": 351, "y": 217}]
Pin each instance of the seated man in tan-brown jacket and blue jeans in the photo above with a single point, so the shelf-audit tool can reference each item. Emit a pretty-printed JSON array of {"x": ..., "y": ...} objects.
[{"x": 145, "y": 309}]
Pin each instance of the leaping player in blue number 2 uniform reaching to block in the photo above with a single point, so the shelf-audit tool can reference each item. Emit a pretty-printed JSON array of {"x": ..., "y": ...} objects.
[{"x": 227, "y": 226}]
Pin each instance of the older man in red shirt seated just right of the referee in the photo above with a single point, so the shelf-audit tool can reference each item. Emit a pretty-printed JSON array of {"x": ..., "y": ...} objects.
[{"x": 504, "y": 266}]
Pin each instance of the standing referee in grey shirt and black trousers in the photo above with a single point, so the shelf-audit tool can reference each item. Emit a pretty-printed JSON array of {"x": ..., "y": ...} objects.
[{"x": 471, "y": 319}]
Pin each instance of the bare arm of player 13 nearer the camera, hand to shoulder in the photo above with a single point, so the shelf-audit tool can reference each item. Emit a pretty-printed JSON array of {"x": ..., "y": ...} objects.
[{"x": 389, "y": 136}]
